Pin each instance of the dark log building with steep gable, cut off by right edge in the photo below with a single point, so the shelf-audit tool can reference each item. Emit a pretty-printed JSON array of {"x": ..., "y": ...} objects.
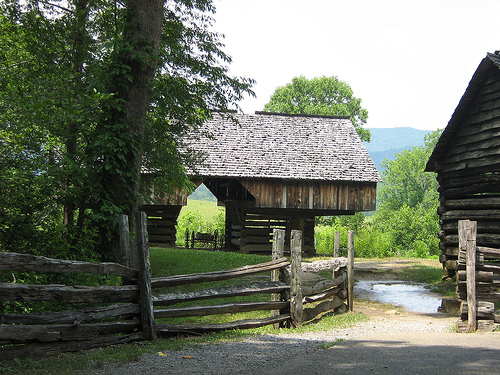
[{"x": 467, "y": 162}]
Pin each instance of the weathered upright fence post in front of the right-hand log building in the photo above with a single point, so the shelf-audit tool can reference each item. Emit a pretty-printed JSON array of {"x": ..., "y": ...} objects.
[{"x": 467, "y": 233}]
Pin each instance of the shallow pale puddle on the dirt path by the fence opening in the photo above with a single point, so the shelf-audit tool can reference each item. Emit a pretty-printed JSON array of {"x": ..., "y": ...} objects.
[{"x": 410, "y": 296}]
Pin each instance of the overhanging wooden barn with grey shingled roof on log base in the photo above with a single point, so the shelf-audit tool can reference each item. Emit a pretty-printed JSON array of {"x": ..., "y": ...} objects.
[{"x": 280, "y": 171}]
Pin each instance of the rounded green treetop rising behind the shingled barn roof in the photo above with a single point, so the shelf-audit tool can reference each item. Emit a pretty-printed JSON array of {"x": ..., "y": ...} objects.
[{"x": 320, "y": 96}]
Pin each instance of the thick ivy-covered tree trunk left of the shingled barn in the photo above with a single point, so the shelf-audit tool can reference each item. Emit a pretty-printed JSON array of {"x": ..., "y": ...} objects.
[{"x": 137, "y": 56}]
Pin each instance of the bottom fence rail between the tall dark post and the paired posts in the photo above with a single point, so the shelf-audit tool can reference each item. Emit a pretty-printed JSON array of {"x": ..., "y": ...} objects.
[{"x": 169, "y": 329}]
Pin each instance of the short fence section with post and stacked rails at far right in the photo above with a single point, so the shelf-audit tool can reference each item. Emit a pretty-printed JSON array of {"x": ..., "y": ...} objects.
[{"x": 478, "y": 281}]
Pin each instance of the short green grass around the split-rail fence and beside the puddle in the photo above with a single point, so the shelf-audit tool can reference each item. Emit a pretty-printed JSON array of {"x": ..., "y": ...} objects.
[{"x": 166, "y": 262}]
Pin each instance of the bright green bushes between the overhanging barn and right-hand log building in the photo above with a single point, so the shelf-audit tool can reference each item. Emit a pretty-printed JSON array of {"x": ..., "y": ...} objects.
[{"x": 406, "y": 222}]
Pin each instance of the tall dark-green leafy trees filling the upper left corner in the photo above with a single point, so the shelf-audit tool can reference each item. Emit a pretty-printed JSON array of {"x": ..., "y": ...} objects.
[{"x": 92, "y": 93}]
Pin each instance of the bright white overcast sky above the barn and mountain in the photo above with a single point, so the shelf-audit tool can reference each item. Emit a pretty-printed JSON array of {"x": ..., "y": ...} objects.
[{"x": 408, "y": 61}]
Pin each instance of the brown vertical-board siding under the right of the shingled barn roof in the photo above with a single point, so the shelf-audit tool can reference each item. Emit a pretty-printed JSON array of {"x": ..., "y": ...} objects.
[{"x": 312, "y": 195}]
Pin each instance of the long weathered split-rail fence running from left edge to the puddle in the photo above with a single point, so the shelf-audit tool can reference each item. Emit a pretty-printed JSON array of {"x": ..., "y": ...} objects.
[{"x": 113, "y": 314}]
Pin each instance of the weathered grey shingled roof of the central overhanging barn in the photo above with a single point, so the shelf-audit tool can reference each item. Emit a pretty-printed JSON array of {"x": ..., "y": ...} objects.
[{"x": 270, "y": 145}]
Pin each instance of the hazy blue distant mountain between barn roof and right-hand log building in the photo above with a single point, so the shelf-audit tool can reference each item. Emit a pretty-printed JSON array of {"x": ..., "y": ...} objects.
[{"x": 387, "y": 142}]
